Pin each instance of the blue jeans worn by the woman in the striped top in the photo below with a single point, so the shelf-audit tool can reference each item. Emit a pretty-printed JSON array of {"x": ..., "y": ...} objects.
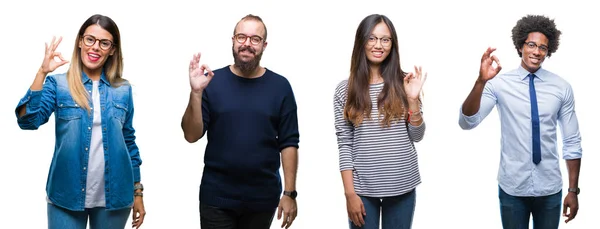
[{"x": 396, "y": 212}]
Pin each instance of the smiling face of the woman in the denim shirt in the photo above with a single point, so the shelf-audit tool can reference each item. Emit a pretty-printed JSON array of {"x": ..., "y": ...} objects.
[{"x": 96, "y": 46}]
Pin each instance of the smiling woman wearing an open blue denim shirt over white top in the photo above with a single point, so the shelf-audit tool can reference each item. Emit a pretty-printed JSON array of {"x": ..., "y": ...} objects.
[{"x": 95, "y": 168}]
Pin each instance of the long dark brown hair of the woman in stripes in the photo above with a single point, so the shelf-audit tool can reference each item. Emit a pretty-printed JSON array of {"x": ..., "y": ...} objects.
[{"x": 392, "y": 99}]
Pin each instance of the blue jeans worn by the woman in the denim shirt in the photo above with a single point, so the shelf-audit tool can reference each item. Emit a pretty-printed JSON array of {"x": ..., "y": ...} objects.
[{"x": 100, "y": 218}]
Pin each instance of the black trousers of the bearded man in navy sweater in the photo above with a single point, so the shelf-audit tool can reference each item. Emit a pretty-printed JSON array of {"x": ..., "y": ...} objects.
[{"x": 218, "y": 218}]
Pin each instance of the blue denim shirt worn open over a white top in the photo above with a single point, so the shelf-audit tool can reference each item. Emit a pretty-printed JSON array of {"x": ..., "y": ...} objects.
[{"x": 66, "y": 185}]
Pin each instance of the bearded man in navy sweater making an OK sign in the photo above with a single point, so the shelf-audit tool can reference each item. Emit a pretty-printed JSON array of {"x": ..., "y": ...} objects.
[{"x": 249, "y": 114}]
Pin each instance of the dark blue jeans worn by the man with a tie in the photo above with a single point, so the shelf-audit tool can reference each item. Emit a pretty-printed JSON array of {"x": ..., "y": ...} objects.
[{"x": 515, "y": 211}]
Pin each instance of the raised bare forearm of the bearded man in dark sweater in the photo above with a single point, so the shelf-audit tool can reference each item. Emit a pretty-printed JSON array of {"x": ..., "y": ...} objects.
[{"x": 192, "y": 123}]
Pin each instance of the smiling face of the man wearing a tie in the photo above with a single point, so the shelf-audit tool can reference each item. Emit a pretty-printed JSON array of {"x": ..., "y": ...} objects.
[{"x": 534, "y": 51}]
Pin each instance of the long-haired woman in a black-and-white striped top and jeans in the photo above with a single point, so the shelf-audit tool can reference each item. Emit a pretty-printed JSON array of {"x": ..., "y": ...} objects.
[{"x": 377, "y": 119}]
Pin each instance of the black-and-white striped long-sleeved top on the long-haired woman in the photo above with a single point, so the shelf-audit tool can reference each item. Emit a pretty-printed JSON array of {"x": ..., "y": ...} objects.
[{"x": 383, "y": 159}]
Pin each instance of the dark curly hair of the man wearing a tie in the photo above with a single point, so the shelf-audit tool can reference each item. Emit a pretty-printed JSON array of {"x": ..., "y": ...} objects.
[{"x": 536, "y": 23}]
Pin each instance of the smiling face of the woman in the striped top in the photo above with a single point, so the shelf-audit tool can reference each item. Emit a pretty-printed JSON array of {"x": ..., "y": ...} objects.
[{"x": 379, "y": 44}]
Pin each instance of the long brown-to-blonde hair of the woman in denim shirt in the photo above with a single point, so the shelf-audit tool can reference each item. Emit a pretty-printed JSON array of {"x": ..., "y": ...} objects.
[{"x": 113, "y": 67}]
